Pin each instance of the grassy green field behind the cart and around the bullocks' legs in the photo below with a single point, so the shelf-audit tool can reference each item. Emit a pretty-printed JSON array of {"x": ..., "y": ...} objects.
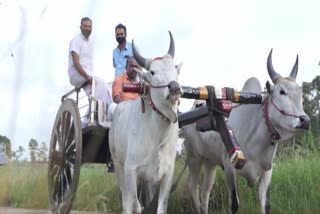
[{"x": 295, "y": 187}]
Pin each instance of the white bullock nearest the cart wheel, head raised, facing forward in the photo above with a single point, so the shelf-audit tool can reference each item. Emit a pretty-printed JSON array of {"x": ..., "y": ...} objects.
[{"x": 144, "y": 133}]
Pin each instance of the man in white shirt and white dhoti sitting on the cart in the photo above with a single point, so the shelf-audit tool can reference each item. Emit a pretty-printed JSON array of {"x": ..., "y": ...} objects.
[{"x": 81, "y": 63}]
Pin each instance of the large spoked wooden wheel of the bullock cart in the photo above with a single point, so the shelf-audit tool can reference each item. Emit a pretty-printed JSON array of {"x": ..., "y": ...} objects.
[{"x": 64, "y": 158}]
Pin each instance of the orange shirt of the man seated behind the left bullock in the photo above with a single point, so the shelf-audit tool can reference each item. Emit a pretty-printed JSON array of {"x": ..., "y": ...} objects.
[{"x": 117, "y": 88}]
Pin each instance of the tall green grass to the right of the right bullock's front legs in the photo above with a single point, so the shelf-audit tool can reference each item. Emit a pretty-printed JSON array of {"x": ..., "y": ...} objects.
[{"x": 295, "y": 184}]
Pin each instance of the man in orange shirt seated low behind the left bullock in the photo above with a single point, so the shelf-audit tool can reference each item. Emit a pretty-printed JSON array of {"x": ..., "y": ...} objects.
[{"x": 129, "y": 76}]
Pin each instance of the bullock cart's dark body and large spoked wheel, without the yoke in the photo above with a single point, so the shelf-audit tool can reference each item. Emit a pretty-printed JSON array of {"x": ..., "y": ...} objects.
[{"x": 73, "y": 143}]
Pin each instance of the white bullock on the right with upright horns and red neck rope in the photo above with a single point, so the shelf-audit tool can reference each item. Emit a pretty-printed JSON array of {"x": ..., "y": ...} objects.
[{"x": 258, "y": 129}]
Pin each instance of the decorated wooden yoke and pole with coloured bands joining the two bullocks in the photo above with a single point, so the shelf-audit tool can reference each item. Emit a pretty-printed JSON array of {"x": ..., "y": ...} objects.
[{"x": 214, "y": 115}]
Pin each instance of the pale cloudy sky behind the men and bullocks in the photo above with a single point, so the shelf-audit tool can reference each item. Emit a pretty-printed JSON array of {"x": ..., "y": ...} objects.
[{"x": 221, "y": 43}]
